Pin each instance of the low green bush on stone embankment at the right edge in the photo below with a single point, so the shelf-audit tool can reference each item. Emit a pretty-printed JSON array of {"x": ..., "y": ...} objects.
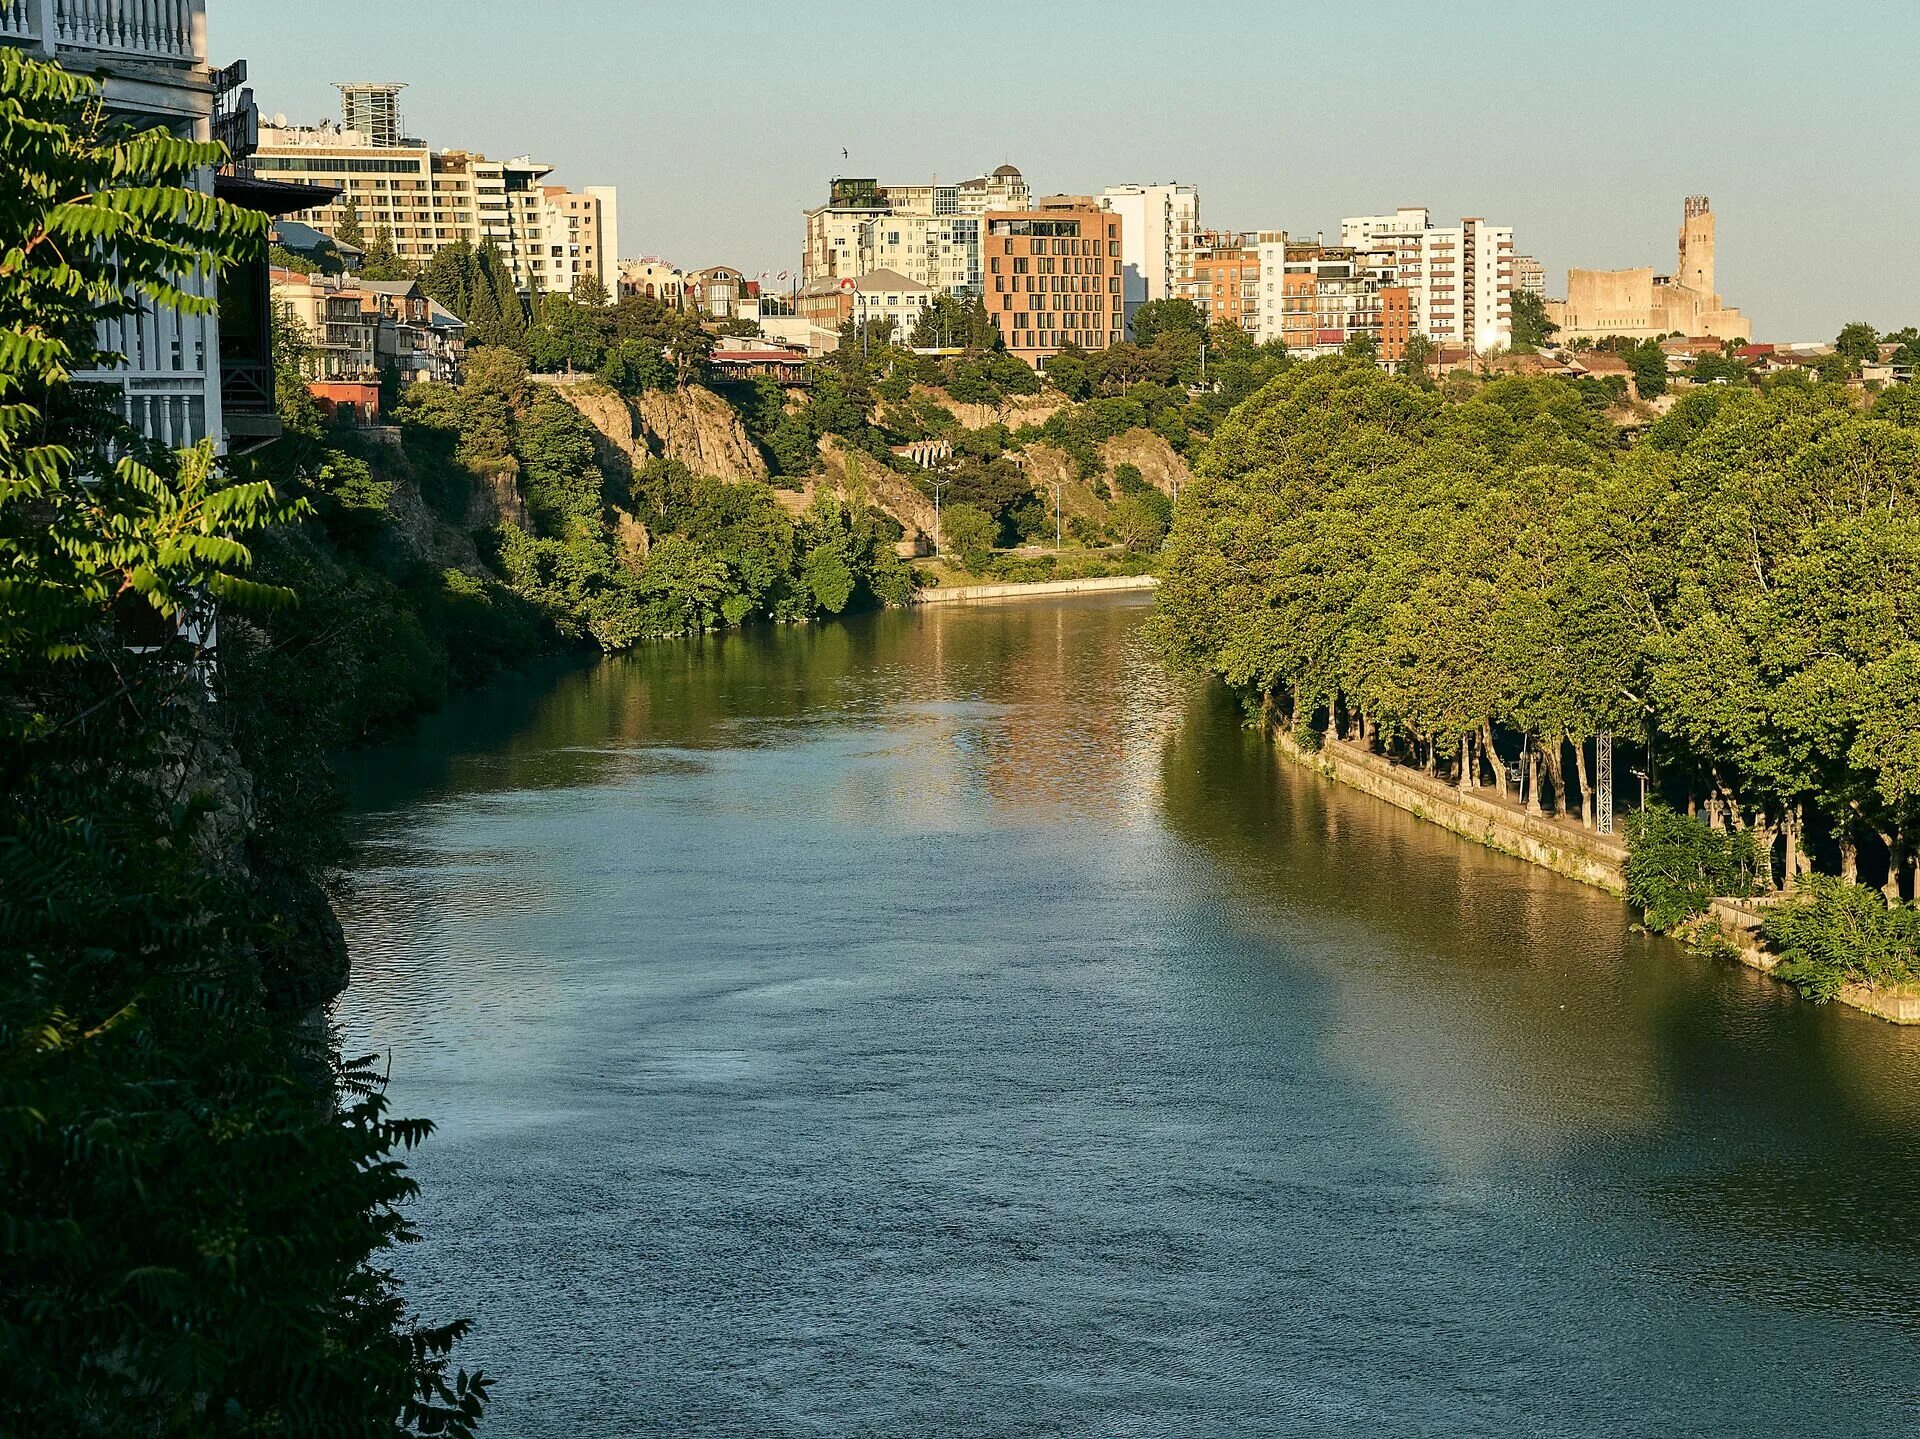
[{"x": 1833, "y": 935}]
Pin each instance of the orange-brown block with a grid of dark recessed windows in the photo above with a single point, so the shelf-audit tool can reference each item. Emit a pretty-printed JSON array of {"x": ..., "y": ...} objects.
[{"x": 1055, "y": 278}]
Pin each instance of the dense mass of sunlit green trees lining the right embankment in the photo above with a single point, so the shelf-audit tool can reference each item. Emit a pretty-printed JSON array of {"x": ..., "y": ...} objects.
[{"x": 1739, "y": 593}]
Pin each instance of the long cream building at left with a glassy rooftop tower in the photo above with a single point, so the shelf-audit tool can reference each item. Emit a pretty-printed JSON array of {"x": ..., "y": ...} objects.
[{"x": 429, "y": 199}]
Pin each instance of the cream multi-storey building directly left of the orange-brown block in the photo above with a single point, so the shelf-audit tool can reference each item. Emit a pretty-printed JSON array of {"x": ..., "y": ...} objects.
[{"x": 928, "y": 233}]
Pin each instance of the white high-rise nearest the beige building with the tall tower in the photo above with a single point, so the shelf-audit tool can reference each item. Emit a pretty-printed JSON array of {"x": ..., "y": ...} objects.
[{"x": 1460, "y": 280}]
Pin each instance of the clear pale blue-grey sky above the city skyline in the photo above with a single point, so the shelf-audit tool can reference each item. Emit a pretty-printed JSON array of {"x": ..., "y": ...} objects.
[{"x": 1583, "y": 126}]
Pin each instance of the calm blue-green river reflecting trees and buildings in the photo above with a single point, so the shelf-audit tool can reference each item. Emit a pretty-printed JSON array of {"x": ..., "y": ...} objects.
[{"x": 948, "y": 1023}]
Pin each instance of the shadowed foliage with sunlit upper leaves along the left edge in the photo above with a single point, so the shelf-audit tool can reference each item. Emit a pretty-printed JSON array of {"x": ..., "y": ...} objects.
[{"x": 195, "y": 1236}]
